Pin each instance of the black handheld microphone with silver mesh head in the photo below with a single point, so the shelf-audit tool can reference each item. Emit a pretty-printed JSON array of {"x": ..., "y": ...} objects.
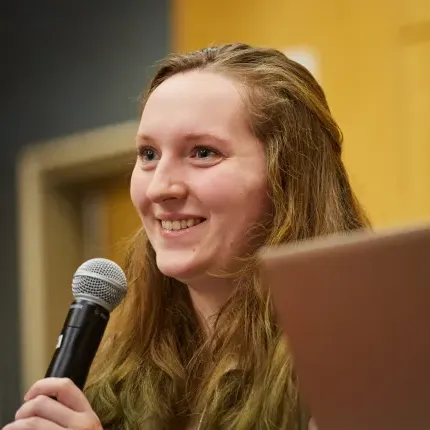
[{"x": 98, "y": 287}]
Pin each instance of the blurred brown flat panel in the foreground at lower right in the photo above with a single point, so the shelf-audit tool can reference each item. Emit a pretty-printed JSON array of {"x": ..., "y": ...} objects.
[{"x": 354, "y": 309}]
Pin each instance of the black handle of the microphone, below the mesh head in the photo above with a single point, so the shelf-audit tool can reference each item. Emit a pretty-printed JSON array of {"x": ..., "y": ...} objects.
[{"x": 78, "y": 342}]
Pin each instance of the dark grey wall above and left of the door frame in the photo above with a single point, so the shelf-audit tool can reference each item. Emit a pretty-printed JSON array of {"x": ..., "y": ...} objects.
[{"x": 65, "y": 67}]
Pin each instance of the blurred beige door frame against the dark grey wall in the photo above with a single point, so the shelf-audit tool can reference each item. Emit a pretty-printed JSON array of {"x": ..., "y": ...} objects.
[{"x": 46, "y": 225}]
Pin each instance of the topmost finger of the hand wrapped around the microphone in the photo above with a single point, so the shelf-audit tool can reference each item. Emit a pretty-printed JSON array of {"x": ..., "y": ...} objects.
[{"x": 63, "y": 389}]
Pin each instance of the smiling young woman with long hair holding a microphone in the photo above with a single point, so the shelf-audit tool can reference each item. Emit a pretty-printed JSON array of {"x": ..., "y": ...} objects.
[{"x": 236, "y": 149}]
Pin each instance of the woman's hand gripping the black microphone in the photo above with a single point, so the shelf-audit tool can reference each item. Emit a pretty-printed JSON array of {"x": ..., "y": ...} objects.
[{"x": 70, "y": 411}]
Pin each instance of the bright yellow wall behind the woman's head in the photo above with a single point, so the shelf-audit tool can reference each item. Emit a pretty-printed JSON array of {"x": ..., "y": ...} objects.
[{"x": 374, "y": 55}]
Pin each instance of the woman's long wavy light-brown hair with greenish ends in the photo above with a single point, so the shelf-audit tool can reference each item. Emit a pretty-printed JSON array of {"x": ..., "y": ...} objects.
[{"x": 156, "y": 369}]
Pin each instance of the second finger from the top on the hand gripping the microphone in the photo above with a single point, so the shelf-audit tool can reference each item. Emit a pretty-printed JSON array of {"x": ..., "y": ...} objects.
[{"x": 47, "y": 408}]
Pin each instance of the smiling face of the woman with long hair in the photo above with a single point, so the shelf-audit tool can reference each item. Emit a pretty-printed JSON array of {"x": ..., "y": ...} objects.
[{"x": 200, "y": 182}]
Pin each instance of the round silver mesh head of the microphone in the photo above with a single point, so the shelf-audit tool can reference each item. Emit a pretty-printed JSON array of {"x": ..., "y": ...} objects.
[{"x": 100, "y": 281}]
